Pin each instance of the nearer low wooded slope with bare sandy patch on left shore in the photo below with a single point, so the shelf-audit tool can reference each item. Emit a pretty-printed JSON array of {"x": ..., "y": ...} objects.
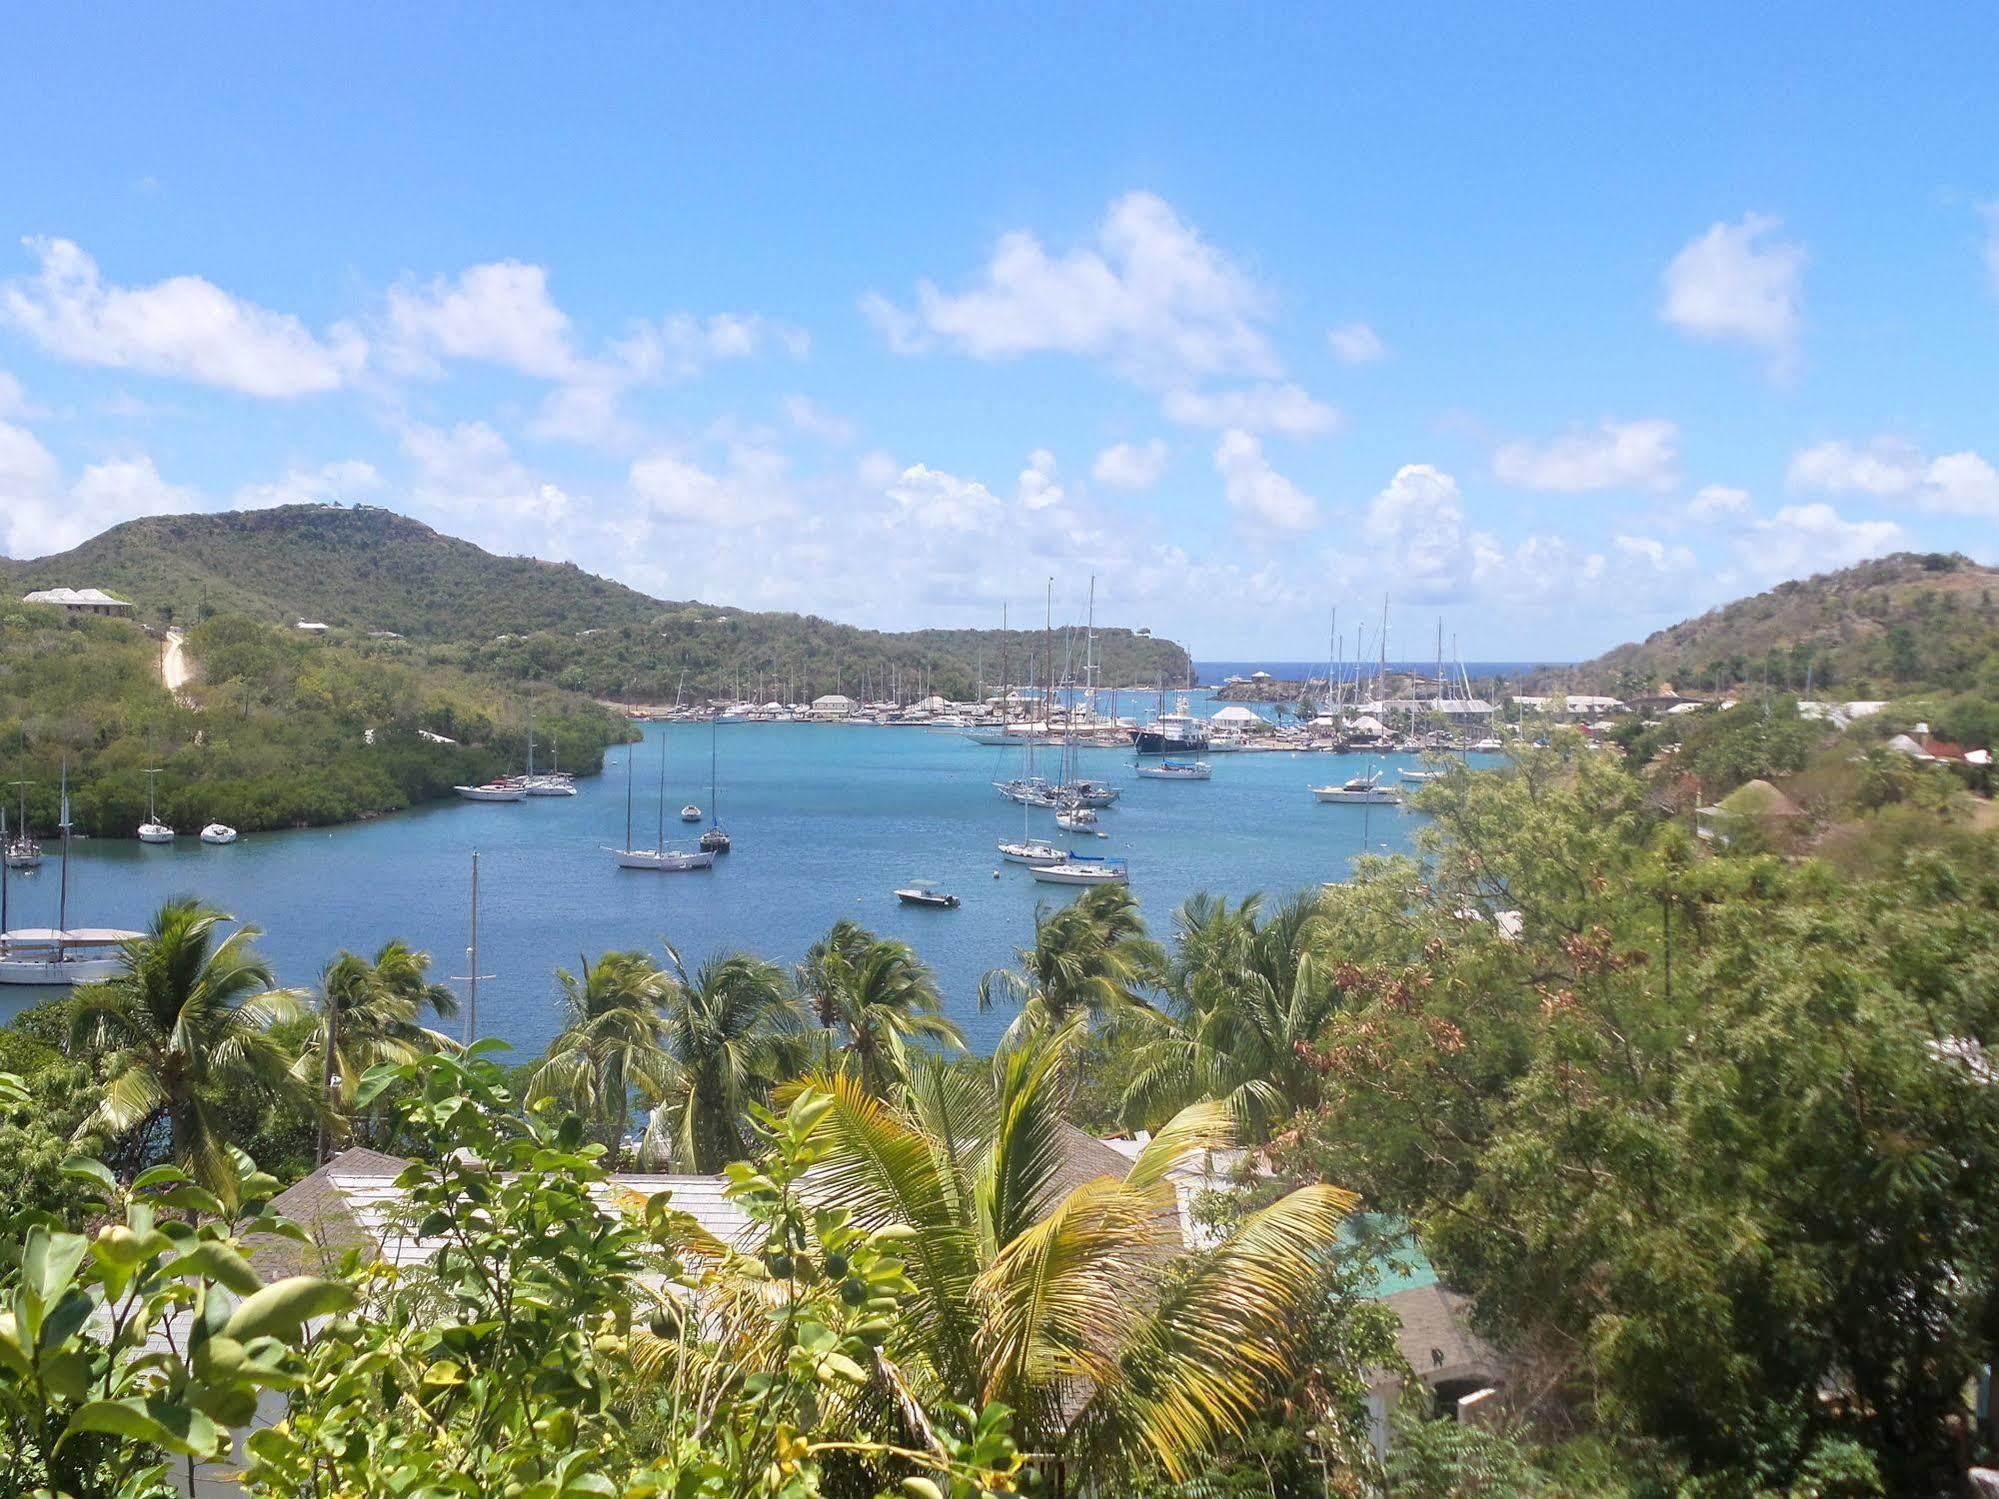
[{"x": 281, "y": 731}]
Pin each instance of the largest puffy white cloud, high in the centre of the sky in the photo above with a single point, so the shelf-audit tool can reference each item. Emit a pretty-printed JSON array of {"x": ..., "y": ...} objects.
[{"x": 1150, "y": 297}]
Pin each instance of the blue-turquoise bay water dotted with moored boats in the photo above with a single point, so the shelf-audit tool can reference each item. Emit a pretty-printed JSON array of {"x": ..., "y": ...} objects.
[{"x": 829, "y": 820}]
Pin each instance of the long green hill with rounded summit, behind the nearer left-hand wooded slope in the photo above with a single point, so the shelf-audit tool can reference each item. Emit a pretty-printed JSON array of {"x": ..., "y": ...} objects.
[{"x": 373, "y": 571}]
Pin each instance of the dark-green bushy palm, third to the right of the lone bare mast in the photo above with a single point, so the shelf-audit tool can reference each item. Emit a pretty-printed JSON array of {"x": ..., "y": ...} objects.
[{"x": 881, "y": 996}]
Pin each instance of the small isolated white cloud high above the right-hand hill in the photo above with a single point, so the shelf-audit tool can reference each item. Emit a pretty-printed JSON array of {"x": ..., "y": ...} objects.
[{"x": 1738, "y": 283}]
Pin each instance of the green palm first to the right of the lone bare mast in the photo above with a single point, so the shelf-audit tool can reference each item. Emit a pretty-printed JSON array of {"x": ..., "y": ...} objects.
[{"x": 613, "y": 1044}]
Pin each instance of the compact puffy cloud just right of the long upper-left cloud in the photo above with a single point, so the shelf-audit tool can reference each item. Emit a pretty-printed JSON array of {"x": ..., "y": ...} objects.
[{"x": 497, "y": 315}]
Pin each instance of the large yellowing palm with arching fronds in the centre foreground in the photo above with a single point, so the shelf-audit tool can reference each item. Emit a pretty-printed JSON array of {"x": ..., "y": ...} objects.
[{"x": 1072, "y": 1304}]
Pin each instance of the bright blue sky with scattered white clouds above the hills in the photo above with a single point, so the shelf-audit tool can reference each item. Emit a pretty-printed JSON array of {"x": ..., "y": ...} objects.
[{"x": 1558, "y": 327}]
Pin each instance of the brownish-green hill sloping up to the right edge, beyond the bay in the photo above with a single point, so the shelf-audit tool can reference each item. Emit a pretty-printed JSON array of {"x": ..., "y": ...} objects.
[{"x": 1886, "y": 629}]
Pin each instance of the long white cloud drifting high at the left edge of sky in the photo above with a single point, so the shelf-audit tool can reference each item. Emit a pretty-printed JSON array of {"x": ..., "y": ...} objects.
[{"x": 181, "y": 327}]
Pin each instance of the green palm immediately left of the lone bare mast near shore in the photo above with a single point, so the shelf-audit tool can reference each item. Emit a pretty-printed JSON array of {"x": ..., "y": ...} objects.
[{"x": 375, "y": 1010}]
